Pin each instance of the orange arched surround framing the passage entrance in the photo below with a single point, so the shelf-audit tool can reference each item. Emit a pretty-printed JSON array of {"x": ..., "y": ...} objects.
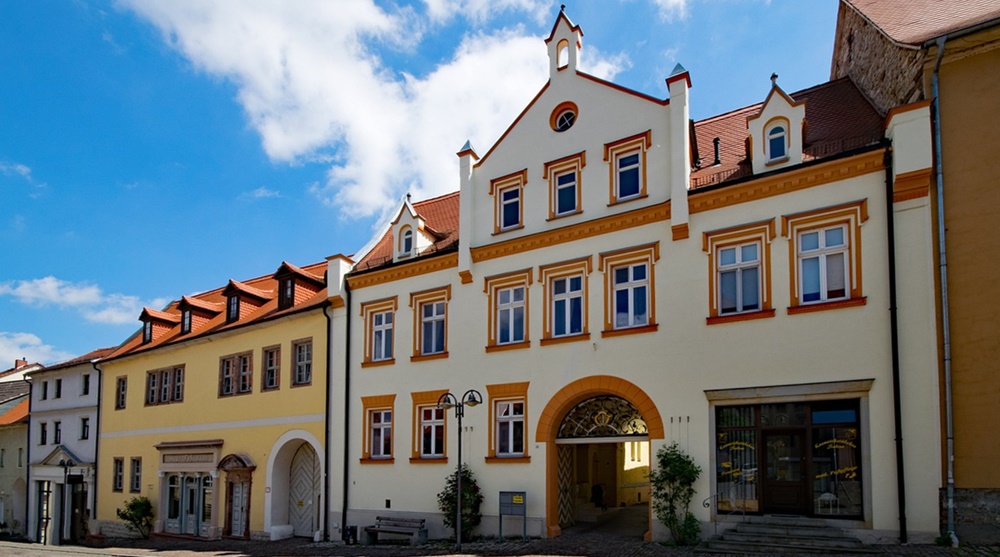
[{"x": 560, "y": 406}]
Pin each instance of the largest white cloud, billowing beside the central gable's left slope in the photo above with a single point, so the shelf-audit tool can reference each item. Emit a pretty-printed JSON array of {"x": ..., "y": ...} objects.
[{"x": 312, "y": 83}]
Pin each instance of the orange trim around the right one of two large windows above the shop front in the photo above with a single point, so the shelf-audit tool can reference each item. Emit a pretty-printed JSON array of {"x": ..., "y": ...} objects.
[{"x": 853, "y": 214}]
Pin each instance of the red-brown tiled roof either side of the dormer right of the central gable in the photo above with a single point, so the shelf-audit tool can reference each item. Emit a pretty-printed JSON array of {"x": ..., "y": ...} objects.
[{"x": 839, "y": 119}]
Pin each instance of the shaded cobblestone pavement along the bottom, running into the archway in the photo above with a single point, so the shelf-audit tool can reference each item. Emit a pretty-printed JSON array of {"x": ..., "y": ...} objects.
[{"x": 618, "y": 536}]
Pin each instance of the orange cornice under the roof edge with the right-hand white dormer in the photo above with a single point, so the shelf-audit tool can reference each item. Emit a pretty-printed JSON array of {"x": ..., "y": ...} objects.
[{"x": 786, "y": 182}]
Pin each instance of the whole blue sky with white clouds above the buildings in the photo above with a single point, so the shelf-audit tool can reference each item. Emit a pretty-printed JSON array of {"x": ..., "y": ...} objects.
[{"x": 155, "y": 148}]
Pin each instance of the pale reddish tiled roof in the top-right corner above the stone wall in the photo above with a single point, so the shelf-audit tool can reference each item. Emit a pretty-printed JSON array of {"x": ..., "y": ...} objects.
[{"x": 912, "y": 22}]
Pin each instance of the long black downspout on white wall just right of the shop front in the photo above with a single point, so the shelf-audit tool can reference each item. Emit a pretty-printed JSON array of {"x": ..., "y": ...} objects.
[{"x": 897, "y": 404}]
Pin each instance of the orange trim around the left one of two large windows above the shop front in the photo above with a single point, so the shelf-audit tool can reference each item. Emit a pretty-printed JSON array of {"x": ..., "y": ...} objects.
[{"x": 715, "y": 240}]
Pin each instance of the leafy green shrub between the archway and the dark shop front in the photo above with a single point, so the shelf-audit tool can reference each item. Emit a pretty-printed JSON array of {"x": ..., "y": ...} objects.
[{"x": 673, "y": 488}]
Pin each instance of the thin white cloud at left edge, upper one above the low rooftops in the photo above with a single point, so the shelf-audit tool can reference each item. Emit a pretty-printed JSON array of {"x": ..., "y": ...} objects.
[{"x": 88, "y": 299}]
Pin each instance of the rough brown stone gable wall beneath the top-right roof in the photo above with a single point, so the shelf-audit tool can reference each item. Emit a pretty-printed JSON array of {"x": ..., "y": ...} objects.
[{"x": 889, "y": 74}]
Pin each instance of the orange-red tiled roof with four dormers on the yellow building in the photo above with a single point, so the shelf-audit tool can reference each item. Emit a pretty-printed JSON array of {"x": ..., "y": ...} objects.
[{"x": 264, "y": 288}]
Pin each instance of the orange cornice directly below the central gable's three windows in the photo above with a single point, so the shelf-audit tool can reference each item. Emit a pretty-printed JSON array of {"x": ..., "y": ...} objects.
[{"x": 603, "y": 225}]
